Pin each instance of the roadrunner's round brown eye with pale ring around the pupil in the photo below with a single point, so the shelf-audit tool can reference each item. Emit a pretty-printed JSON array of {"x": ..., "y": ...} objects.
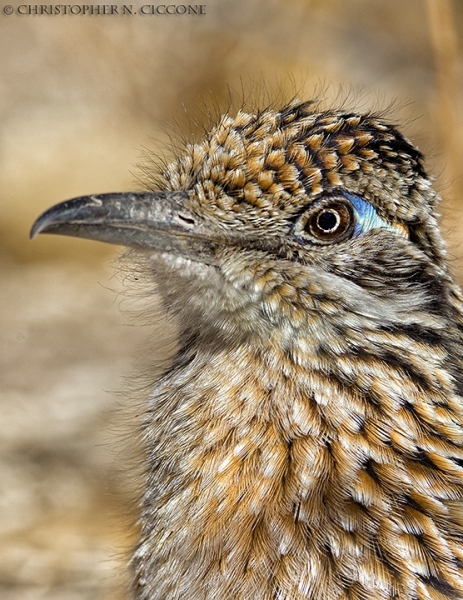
[{"x": 331, "y": 220}]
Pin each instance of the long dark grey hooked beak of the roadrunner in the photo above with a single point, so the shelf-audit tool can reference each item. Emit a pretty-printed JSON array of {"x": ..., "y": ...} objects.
[{"x": 152, "y": 220}]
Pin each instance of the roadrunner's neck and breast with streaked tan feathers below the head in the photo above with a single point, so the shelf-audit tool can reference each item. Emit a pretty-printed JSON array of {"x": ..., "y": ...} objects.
[{"x": 272, "y": 473}]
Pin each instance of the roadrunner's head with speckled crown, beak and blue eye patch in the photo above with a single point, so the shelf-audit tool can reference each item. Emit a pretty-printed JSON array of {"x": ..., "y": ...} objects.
[{"x": 284, "y": 216}]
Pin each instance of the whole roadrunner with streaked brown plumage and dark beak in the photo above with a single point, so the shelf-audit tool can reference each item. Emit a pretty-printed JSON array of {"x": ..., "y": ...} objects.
[{"x": 307, "y": 440}]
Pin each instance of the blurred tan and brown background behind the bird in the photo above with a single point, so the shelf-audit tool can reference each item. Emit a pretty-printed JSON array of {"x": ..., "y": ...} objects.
[{"x": 79, "y": 99}]
